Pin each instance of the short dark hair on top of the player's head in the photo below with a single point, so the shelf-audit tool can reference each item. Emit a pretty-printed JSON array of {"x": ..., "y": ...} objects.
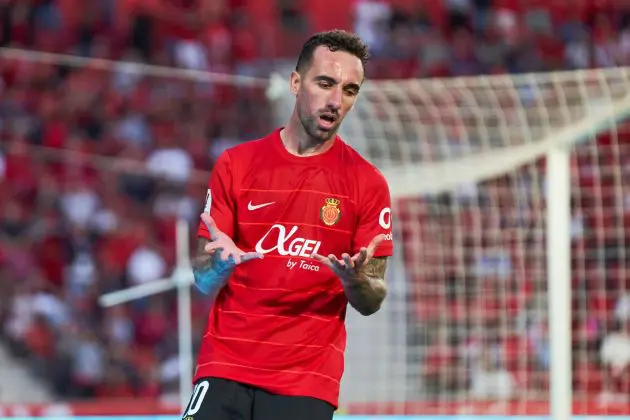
[{"x": 335, "y": 40}]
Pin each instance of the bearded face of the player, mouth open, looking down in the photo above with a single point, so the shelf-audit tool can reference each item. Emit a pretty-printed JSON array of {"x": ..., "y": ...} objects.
[{"x": 327, "y": 91}]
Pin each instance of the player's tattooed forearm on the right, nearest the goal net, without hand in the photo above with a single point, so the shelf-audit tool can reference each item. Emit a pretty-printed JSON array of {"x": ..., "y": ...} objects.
[{"x": 367, "y": 293}]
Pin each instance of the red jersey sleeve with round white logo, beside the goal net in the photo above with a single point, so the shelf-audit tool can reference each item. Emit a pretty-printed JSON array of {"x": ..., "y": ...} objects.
[{"x": 375, "y": 215}]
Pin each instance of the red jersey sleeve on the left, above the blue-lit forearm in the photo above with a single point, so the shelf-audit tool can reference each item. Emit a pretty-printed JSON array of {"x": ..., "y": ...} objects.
[{"x": 219, "y": 198}]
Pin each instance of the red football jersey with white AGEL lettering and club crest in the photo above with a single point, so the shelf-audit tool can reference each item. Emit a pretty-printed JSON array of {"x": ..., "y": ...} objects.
[{"x": 278, "y": 324}]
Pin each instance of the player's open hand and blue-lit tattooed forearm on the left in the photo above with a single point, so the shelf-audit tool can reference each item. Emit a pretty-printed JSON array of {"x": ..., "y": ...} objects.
[{"x": 217, "y": 260}]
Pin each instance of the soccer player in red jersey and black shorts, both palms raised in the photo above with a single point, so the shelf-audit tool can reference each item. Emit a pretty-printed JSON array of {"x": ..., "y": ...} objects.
[{"x": 296, "y": 226}]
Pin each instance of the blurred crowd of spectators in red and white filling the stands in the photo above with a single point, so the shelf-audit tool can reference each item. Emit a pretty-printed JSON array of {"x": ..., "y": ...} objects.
[{"x": 97, "y": 163}]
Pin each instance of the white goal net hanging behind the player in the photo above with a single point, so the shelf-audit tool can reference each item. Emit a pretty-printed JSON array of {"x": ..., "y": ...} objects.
[{"x": 465, "y": 329}]
